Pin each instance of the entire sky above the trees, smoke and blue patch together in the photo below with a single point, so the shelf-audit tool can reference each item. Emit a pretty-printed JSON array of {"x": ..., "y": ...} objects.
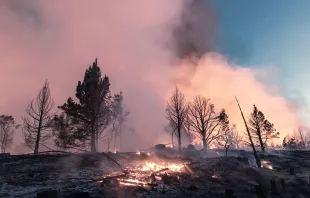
[{"x": 144, "y": 47}]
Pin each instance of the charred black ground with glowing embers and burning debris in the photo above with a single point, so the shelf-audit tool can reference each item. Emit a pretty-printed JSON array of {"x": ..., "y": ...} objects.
[{"x": 159, "y": 173}]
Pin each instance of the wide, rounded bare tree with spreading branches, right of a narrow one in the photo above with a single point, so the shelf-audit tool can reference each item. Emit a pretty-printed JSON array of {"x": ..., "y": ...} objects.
[{"x": 204, "y": 121}]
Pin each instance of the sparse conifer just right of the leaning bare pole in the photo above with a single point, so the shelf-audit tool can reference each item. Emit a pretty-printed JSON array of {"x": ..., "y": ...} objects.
[{"x": 261, "y": 129}]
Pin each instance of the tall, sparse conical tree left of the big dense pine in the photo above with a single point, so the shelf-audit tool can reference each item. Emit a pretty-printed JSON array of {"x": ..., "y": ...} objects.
[{"x": 38, "y": 118}]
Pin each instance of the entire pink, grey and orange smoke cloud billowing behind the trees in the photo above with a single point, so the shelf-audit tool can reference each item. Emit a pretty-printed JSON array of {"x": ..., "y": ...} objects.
[{"x": 143, "y": 46}]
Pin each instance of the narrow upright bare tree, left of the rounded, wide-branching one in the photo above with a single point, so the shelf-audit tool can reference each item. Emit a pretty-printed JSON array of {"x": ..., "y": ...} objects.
[{"x": 176, "y": 111}]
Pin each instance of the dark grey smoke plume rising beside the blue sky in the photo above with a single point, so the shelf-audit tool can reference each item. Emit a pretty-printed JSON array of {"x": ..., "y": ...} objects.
[{"x": 194, "y": 33}]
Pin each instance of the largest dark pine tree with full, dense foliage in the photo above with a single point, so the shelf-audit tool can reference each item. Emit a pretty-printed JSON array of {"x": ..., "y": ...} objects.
[{"x": 91, "y": 114}]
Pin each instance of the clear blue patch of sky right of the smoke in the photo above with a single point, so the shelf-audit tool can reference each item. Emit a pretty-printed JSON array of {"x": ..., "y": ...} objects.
[{"x": 273, "y": 33}]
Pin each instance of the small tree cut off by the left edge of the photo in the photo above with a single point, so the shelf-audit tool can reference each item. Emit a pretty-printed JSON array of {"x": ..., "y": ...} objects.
[{"x": 7, "y": 129}]
